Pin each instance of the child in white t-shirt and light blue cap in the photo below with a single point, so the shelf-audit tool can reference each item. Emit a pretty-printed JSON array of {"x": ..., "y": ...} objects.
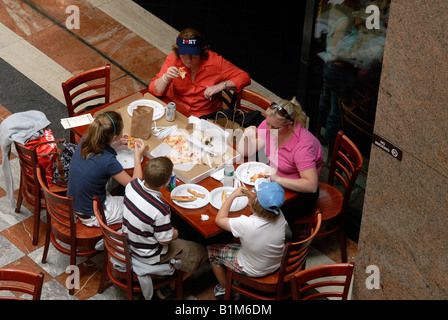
[{"x": 261, "y": 235}]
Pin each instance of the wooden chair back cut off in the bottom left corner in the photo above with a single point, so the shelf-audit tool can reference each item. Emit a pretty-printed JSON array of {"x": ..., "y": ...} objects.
[{"x": 23, "y": 281}]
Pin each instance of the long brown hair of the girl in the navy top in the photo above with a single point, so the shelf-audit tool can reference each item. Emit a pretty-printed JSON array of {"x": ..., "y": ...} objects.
[{"x": 100, "y": 133}]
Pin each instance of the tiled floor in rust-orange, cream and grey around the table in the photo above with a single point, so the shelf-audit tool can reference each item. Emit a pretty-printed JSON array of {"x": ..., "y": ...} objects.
[{"x": 34, "y": 40}]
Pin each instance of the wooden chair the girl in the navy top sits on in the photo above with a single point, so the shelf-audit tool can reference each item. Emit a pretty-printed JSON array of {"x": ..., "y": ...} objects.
[{"x": 62, "y": 226}]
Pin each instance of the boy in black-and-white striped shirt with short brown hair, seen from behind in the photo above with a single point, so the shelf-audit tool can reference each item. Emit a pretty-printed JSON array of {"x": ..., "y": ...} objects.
[{"x": 147, "y": 222}]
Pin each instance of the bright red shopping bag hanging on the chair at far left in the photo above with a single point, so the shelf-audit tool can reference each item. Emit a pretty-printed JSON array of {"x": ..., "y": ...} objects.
[{"x": 46, "y": 161}]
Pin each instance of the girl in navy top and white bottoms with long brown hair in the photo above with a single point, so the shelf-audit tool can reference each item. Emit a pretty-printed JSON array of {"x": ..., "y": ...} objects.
[{"x": 94, "y": 163}]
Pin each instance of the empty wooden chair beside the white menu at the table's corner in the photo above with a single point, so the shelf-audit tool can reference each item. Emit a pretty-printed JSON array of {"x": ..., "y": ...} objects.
[{"x": 85, "y": 87}]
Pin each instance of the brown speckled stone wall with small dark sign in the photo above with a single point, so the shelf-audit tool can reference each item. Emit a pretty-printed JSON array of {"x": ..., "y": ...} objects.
[{"x": 405, "y": 217}]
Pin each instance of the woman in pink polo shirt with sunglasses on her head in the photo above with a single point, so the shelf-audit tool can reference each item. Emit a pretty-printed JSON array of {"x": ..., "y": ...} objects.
[{"x": 295, "y": 155}]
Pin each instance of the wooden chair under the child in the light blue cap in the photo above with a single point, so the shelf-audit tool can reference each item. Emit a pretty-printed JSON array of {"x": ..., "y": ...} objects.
[{"x": 275, "y": 286}]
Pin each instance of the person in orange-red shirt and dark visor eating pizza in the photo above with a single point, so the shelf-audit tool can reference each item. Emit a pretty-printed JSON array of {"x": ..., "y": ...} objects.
[{"x": 193, "y": 76}]
